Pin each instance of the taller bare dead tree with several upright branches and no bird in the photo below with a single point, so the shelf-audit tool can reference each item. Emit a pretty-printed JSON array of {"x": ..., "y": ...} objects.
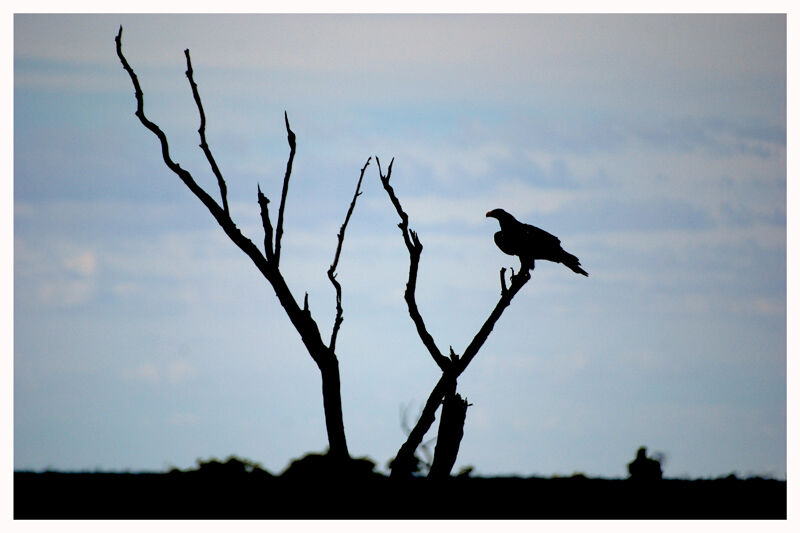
[{"x": 268, "y": 263}]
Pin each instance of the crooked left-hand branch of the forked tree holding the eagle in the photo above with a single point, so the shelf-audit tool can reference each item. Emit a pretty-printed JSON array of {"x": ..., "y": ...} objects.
[{"x": 414, "y": 247}]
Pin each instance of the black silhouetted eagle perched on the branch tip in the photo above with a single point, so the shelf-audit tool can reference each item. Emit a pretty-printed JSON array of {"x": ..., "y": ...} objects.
[{"x": 529, "y": 243}]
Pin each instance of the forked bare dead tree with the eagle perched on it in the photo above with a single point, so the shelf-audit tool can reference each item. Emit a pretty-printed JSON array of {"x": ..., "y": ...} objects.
[{"x": 444, "y": 392}]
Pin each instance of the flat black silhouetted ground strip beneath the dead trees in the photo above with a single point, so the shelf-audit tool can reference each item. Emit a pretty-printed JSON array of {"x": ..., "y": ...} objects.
[{"x": 316, "y": 488}]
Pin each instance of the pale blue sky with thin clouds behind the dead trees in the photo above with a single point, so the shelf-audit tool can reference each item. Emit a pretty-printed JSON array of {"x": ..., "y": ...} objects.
[{"x": 653, "y": 146}]
